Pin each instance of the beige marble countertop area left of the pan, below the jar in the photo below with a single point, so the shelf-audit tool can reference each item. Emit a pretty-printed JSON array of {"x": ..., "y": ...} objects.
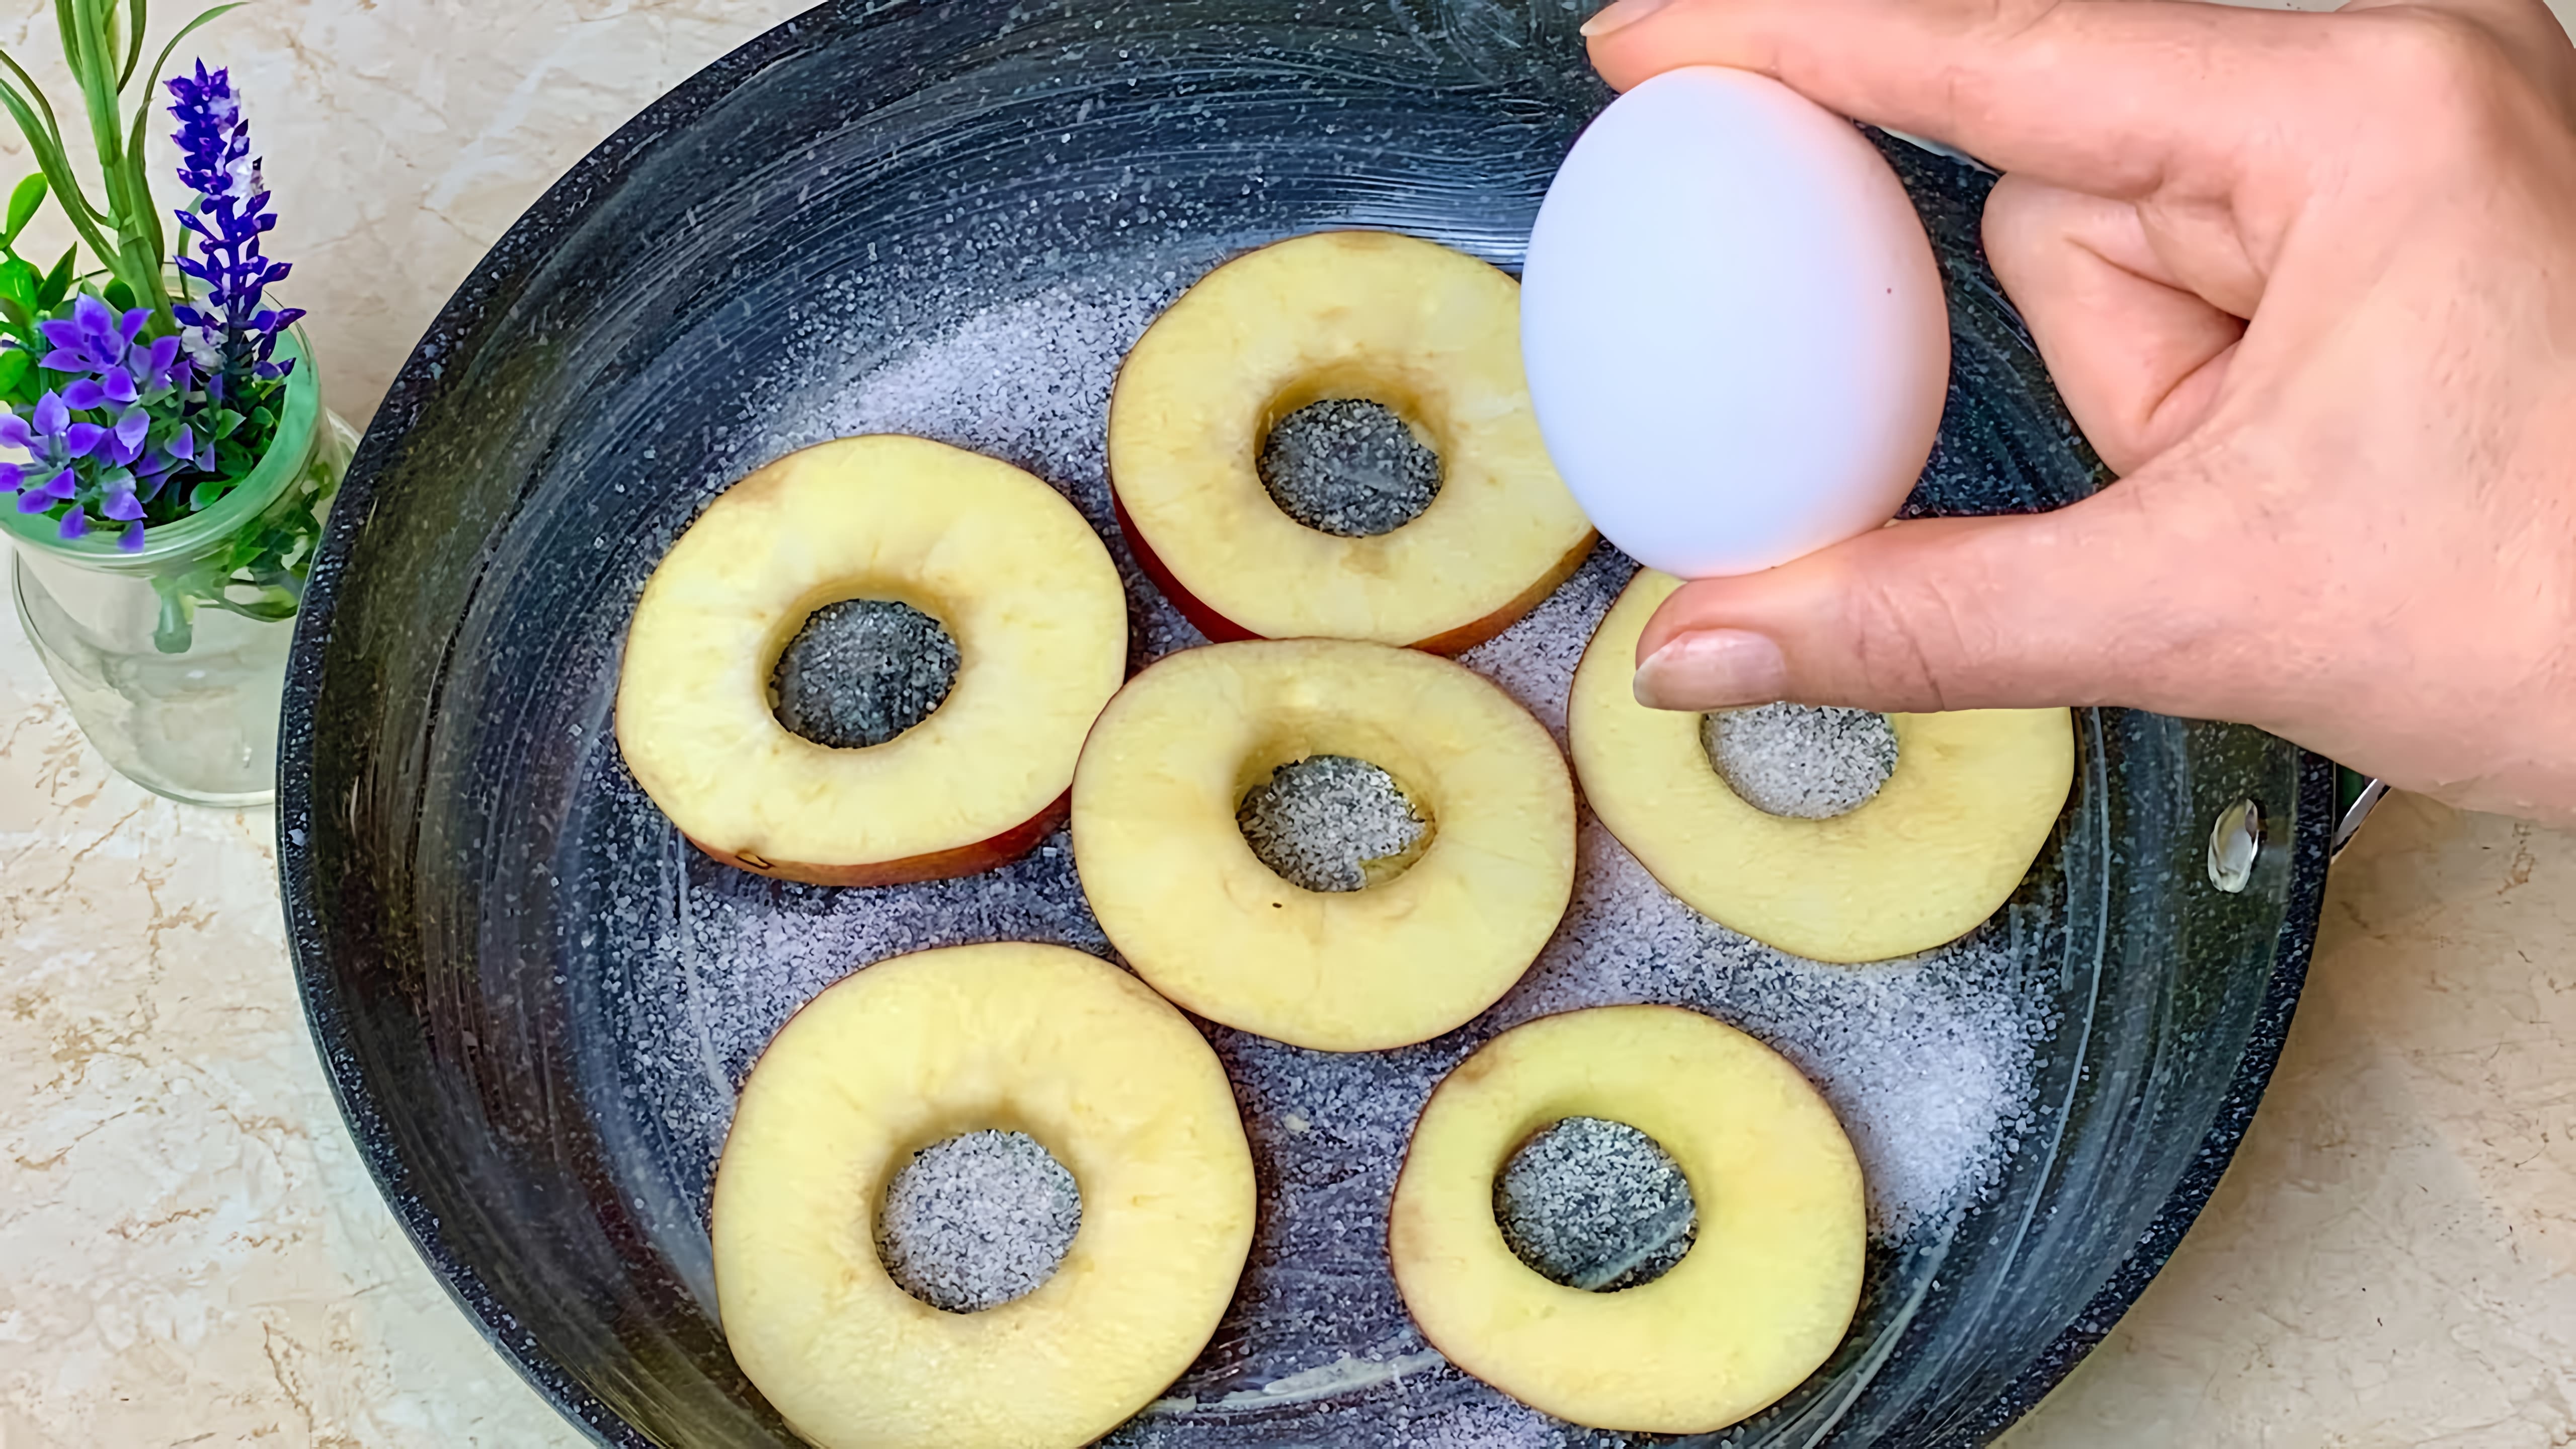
[{"x": 189, "y": 1249}]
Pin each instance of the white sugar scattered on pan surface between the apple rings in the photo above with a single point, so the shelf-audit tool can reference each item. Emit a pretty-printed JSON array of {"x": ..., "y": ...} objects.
[{"x": 1926, "y": 1061}]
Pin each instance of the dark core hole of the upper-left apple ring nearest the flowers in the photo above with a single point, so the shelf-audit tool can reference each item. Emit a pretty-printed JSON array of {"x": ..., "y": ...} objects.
[{"x": 862, "y": 672}]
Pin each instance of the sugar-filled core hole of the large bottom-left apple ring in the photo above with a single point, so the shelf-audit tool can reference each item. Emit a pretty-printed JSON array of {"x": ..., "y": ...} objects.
[{"x": 978, "y": 1221}]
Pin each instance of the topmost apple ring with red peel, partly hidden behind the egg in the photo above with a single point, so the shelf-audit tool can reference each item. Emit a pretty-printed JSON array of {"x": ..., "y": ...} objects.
[{"x": 1372, "y": 316}]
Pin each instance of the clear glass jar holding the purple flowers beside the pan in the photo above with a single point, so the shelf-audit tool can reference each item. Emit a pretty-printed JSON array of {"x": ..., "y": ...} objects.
[{"x": 174, "y": 659}]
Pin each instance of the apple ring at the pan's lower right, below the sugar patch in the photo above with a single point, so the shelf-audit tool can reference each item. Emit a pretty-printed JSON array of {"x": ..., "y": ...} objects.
[{"x": 1753, "y": 1308}]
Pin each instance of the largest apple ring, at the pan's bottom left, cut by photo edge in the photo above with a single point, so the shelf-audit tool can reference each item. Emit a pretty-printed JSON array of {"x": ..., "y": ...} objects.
[{"x": 923, "y": 1048}]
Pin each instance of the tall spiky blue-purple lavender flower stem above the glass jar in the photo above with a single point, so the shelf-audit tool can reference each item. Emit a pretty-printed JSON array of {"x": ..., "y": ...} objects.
[{"x": 231, "y": 334}]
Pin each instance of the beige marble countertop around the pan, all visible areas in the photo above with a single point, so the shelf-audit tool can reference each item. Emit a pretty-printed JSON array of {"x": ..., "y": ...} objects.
[{"x": 192, "y": 1254}]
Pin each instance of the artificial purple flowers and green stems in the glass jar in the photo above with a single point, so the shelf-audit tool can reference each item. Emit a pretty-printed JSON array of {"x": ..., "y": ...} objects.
[{"x": 146, "y": 388}]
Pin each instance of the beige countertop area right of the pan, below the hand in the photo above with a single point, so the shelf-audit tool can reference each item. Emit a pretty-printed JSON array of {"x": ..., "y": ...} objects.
[{"x": 2392, "y": 1259}]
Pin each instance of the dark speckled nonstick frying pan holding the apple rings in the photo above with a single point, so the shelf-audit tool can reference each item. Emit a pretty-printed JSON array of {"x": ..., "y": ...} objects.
[{"x": 486, "y": 914}]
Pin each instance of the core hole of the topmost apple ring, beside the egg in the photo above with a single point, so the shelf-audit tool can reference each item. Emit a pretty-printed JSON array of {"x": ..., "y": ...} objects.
[{"x": 1349, "y": 468}]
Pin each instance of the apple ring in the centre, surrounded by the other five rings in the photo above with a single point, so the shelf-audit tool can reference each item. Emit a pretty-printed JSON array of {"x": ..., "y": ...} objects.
[{"x": 1186, "y": 901}]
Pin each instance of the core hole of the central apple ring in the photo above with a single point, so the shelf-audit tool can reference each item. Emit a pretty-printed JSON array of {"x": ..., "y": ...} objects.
[{"x": 1333, "y": 824}]
